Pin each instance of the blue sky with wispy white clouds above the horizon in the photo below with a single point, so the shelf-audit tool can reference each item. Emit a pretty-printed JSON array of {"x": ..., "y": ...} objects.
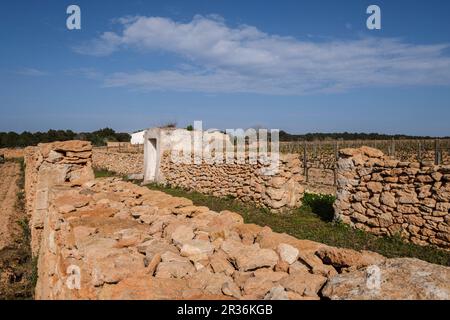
[{"x": 300, "y": 66}]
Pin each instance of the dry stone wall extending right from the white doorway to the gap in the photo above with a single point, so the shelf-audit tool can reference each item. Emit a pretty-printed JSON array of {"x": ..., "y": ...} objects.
[{"x": 245, "y": 182}]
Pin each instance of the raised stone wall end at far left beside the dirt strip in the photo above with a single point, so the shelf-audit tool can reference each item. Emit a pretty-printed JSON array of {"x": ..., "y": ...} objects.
[{"x": 48, "y": 165}]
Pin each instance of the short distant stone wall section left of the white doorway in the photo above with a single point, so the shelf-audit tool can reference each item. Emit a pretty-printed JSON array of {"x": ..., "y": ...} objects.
[{"x": 124, "y": 163}]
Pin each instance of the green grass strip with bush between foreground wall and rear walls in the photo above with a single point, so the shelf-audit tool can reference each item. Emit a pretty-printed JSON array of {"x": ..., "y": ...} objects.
[{"x": 313, "y": 221}]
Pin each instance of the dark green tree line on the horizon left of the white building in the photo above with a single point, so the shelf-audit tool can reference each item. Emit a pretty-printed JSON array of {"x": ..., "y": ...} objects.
[{"x": 25, "y": 139}]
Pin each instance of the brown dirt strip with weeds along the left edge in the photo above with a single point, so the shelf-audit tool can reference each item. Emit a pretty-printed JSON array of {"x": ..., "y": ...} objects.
[{"x": 16, "y": 263}]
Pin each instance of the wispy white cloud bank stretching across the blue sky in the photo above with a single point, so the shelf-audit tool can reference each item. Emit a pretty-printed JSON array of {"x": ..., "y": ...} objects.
[{"x": 245, "y": 59}]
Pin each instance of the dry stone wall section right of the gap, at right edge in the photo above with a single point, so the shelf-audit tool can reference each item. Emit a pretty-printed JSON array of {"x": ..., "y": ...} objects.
[{"x": 385, "y": 196}]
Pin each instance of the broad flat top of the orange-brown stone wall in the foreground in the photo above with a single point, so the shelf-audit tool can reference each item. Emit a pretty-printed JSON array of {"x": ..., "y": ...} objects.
[{"x": 129, "y": 242}]
